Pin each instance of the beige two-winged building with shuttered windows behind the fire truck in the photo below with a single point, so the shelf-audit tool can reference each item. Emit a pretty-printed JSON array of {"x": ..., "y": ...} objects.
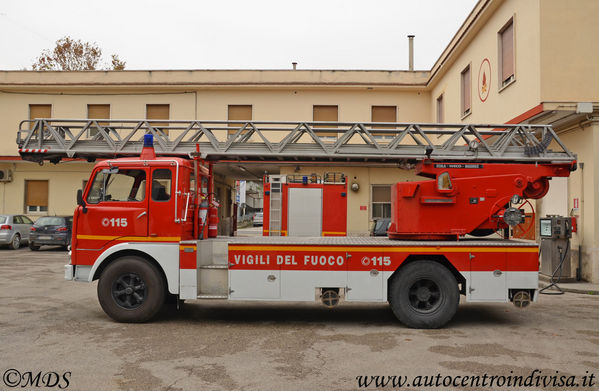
[{"x": 511, "y": 61}]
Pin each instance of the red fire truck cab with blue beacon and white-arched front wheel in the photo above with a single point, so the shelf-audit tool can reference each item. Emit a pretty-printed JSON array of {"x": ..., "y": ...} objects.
[{"x": 131, "y": 221}]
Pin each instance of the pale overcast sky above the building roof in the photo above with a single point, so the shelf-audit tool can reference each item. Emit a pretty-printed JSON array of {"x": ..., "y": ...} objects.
[{"x": 232, "y": 34}]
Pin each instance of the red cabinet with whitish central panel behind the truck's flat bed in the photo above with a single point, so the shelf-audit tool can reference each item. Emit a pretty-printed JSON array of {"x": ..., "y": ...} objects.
[{"x": 305, "y": 205}]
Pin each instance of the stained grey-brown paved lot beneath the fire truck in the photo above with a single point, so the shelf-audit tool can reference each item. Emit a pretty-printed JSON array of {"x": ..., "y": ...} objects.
[{"x": 49, "y": 325}]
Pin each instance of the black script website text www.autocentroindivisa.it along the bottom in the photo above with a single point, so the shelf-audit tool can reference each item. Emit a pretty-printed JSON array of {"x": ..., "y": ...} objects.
[{"x": 536, "y": 378}]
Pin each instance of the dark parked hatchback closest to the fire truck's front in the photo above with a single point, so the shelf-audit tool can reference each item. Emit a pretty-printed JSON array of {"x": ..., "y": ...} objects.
[{"x": 52, "y": 231}]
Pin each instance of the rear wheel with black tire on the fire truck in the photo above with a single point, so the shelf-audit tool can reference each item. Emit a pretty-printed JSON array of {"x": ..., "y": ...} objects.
[{"x": 424, "y": 295}]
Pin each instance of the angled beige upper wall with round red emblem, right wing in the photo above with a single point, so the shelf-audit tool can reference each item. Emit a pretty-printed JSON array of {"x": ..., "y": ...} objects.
[{"x": 501, "y": 104}]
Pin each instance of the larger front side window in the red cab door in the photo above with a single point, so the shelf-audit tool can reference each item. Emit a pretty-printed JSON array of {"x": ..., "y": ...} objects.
[{"x": 117, "y": 185}]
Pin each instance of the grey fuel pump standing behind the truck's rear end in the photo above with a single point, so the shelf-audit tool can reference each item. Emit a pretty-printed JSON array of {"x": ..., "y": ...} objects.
[{"x": 555, "y": 232}]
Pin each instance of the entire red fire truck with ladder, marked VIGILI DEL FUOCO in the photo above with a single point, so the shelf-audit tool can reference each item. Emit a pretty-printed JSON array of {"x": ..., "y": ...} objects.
[{"x": 145, "y": 225}]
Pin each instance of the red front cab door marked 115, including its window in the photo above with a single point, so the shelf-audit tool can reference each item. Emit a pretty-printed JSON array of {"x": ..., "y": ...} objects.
[{"x": 116, "y": 207}]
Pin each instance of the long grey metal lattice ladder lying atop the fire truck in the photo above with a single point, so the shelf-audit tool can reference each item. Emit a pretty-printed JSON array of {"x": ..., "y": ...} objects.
[{"x": 56, "y": 139}]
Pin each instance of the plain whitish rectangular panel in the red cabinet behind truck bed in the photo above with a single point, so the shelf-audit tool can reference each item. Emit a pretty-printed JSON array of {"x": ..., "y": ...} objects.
[{"x": 304, "y": 212}]
